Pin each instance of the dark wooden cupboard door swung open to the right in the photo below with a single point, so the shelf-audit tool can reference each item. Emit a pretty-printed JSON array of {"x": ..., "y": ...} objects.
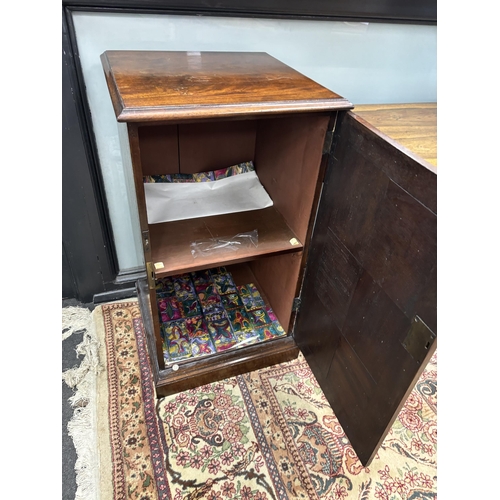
[{"x": 367, "y": 319}]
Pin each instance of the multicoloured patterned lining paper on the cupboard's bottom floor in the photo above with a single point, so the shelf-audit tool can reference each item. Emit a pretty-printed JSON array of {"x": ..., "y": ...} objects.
[{"x": 211, "y": 311}]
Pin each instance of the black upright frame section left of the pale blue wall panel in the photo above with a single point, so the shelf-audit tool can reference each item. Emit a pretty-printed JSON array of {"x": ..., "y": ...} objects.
[{"x": 89, "y": 261}]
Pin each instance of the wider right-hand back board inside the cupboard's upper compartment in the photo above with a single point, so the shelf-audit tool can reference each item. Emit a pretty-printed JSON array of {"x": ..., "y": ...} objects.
[{"x": 215, "y": 145}]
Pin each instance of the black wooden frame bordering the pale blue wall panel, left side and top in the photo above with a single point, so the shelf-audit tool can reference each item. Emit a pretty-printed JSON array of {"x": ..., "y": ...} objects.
[{"x": 94, "y": 245}]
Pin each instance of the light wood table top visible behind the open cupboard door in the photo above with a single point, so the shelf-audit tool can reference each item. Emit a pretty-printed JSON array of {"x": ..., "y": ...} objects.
[{"x": 414, "y": 126}]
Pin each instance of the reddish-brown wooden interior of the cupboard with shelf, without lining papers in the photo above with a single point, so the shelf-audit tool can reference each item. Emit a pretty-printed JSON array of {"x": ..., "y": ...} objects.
[{"x": 286, "y": 151}]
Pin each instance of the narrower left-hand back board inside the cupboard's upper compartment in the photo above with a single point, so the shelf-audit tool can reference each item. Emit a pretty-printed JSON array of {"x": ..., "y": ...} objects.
[{"x": 159, "y": 150}]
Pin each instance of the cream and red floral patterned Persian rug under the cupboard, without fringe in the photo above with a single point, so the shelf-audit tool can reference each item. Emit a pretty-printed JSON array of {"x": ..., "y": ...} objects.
[{"x": 269, "y": 434}]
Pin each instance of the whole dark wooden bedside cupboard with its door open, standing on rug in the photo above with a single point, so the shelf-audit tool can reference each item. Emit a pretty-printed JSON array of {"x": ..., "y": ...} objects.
[{"x": 346, "y": 254}]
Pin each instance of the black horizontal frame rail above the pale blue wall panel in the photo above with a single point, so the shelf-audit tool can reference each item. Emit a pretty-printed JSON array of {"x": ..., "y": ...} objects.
[{"x": 401, "y": 11}]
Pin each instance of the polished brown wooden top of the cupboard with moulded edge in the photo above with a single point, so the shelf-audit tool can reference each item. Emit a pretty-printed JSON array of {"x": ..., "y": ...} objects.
[{"x": 172, "y": 86}]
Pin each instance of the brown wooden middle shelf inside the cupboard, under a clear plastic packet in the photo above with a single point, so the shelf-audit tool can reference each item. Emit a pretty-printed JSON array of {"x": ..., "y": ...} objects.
[{"x": 170, "y": 241}]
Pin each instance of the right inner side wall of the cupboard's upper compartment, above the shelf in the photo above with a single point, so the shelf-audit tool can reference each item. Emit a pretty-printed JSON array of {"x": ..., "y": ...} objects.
[{"x": 287, "y": 159}]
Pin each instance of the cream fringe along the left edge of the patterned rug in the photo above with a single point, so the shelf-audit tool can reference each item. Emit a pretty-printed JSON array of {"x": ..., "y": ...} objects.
[{"x": 82, "y": 426}]
